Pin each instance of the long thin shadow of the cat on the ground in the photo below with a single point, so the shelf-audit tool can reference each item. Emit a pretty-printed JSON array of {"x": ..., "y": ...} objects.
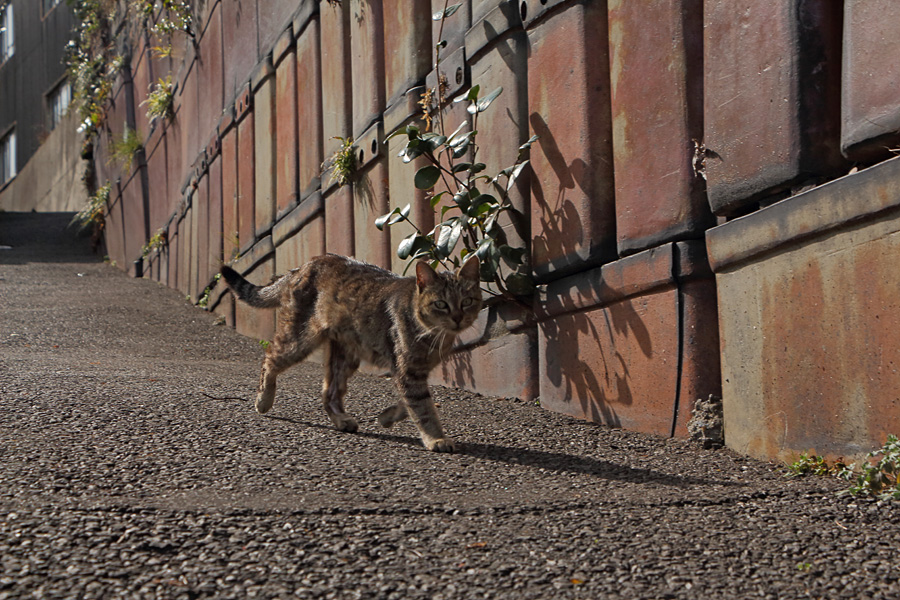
[{"x": 551, "y": 461}]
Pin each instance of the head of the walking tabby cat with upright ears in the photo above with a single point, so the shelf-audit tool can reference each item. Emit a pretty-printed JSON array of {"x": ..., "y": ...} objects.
[{"x": 445, "y": 301}]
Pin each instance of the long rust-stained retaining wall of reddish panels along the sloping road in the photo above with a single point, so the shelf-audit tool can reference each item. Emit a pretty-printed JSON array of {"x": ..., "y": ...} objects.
[{"x": 656, "y": 123}]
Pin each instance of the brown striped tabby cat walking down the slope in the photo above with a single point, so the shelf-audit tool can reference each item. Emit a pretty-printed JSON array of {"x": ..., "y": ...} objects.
[{"x": 358, "y": 311}]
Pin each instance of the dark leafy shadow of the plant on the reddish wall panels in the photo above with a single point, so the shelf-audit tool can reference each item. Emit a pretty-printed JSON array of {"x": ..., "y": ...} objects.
[{"x": 583, "y": 352}]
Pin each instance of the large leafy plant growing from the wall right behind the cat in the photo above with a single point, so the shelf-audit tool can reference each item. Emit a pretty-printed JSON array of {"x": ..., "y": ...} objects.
[{"x": 471, "y": 201}]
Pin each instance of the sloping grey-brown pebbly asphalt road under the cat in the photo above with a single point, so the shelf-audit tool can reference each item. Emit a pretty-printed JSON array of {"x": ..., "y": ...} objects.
[{"x": 132, "y": 464}]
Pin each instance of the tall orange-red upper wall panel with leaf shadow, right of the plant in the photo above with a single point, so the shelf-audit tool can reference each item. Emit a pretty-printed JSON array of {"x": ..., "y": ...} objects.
[{"x": 573, "y": 212}]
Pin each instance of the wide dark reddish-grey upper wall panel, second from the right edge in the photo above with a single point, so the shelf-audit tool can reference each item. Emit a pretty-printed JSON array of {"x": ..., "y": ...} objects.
[{"x": 771, "y": 98}]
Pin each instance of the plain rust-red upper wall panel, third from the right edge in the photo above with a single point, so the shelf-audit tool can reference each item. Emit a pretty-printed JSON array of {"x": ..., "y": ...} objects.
[{"x": 656, "y": 57}]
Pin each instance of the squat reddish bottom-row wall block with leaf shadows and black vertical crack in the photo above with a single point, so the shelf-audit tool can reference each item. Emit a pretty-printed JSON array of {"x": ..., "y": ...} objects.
[{"x": 630, "y": 344}]
